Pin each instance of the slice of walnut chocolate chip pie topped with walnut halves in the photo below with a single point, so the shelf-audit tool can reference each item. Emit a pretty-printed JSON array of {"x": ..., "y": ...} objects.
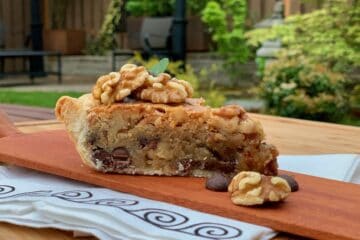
[{"x": 136, "y": 123}]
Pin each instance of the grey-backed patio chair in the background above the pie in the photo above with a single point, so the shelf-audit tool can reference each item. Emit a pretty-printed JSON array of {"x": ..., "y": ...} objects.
[{"x": 155, "y": 38}]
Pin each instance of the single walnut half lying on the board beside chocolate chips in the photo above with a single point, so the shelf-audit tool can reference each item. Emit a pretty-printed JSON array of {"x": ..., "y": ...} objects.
[{"x": 253, "y": 188}]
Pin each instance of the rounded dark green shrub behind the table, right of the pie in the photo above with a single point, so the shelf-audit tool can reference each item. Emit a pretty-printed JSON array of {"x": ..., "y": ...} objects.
[{"x": 294, "y": 87}]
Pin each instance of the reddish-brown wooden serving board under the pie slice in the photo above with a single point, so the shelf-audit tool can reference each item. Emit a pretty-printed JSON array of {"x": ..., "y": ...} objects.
[{"x": 321, "y": 209}]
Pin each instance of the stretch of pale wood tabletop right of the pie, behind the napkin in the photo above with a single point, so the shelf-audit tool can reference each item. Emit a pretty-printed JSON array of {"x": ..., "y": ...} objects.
[{"x": 294, "y": 136}]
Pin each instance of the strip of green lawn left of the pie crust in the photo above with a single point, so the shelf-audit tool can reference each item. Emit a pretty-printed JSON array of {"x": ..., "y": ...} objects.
[{"x": 34, "y": 98}]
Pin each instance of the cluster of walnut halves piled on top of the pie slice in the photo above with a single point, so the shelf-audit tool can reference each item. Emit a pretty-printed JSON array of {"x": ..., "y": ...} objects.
[{"x": 138, "y": 82}]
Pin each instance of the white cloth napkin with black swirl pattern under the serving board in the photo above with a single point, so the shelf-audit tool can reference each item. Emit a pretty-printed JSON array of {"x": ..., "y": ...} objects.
[{"x": 40, "y": 200}]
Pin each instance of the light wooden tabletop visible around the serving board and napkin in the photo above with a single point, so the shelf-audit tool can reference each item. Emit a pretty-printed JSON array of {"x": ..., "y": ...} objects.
[{"x": 291, "y": 136}]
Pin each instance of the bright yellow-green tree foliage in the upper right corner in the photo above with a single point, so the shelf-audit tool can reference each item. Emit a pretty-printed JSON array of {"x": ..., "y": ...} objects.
[{"x": 330, "y": 35}]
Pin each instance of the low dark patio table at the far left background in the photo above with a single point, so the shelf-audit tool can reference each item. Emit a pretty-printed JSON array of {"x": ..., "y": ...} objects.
[{"x": 28, "y": 55}]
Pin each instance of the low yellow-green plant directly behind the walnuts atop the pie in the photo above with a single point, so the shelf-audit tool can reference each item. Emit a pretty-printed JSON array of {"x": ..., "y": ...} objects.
[{"x": 212, "y": 96}]
